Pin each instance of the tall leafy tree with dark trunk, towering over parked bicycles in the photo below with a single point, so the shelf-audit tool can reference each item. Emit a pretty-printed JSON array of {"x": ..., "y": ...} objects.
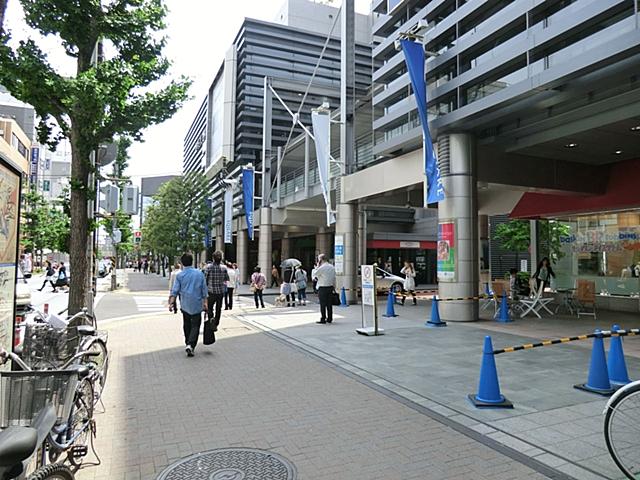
[{"x": 113, "y": 96}]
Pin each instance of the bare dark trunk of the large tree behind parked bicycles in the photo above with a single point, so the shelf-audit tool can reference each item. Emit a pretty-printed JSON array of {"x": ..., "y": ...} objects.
[{"x": 80, "y": 237}]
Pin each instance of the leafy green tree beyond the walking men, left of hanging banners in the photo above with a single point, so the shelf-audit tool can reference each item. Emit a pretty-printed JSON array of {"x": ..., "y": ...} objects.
[{"x": 176, "y": 220}]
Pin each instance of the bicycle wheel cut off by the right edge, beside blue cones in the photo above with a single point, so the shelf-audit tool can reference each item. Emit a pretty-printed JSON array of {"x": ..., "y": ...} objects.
[{"x": 622, "y": 432}]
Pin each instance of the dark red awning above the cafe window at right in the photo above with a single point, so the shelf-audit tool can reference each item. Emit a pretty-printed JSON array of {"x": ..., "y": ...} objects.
[{"x": 623, "y": 193}]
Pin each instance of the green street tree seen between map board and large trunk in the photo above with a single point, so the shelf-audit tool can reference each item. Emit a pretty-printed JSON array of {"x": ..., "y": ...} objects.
[{"x": 46, "y": 224}]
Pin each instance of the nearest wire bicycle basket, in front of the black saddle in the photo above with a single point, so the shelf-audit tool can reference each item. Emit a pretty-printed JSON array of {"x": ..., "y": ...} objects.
[{"x": 24, "y": 394}]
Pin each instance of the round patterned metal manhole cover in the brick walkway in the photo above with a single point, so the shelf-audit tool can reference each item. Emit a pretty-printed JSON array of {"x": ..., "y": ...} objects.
[{"x": 231, "y": 464}]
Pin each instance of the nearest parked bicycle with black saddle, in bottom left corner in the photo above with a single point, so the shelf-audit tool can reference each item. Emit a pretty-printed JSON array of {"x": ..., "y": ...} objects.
[{"x": 23, "y": 440}]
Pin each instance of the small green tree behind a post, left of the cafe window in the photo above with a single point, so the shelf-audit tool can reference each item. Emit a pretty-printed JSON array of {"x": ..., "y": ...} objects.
[{"x": 515, "y": 236}]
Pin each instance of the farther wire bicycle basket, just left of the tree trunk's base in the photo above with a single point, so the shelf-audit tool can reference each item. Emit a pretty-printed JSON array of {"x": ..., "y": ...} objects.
[{"x": 48, "y": 347}]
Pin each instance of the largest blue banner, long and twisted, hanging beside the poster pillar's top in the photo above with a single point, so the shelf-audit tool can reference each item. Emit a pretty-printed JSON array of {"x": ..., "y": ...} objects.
[{"x": 414, "y": 58}]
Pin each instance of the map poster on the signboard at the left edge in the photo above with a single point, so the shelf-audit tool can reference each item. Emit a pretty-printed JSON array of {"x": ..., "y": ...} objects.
[{"x": 9, "y": 215}]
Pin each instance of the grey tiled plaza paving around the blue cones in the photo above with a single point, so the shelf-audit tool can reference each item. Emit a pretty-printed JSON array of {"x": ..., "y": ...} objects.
[{"x": 551, "y": 422}]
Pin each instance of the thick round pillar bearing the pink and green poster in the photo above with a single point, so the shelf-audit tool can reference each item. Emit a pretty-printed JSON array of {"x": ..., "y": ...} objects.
[{"x": 460, "y": 208}]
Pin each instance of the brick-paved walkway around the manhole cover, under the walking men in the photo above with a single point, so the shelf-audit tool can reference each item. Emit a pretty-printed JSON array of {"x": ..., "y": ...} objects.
[{"x": 251, "y": 390}]
